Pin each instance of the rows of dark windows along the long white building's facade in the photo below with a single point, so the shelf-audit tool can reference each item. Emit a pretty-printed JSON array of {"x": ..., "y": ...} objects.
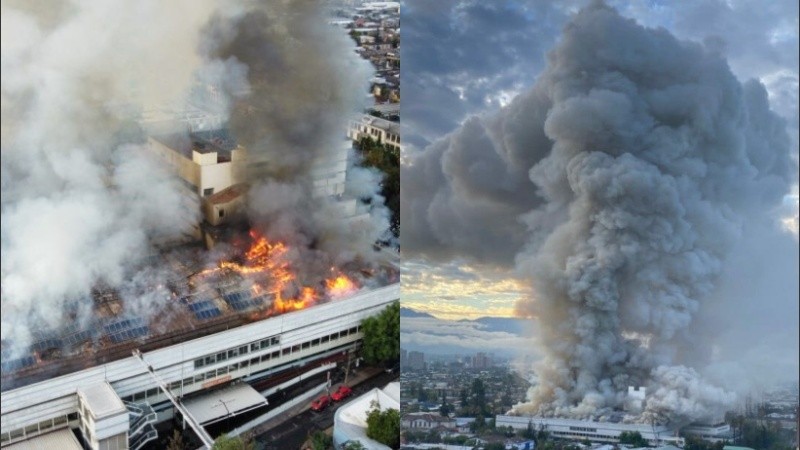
[{"x": 212, "y": 374}]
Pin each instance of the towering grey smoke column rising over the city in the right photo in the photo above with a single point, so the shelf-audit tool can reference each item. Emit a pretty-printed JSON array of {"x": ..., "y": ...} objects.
[{"x": 618, "y": 186}]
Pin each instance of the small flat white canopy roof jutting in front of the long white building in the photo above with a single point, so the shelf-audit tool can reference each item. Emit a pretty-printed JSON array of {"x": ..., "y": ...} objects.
[{"x": 231, "y": 400}]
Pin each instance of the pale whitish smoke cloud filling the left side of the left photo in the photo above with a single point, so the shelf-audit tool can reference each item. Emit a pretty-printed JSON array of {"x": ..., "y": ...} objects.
[{"x": 81, "y": 203}]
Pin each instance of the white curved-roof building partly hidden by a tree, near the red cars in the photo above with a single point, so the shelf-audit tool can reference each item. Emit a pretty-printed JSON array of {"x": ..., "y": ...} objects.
[{"x": 350, "y": 420}]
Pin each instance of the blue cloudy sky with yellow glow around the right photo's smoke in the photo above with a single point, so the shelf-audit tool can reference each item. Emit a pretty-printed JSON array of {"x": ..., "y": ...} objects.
[{"x": 471, "y": 58}]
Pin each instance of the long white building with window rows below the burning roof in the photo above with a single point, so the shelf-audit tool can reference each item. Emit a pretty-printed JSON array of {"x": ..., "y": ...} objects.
[{"x": 115, "y": 404}]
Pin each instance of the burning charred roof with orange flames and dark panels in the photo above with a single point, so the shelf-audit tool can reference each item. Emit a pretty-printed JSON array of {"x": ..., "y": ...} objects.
[{"x": 196, "y": 302}]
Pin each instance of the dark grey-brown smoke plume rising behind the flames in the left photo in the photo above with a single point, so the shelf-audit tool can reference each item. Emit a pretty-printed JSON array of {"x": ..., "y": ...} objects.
[{"x": 304, "y": 82}]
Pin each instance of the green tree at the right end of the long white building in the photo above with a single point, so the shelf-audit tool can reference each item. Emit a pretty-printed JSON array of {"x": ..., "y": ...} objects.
[{"x": 382, "y": 336}]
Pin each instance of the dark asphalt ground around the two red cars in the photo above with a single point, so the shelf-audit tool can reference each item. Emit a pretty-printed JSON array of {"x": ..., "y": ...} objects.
[{"x": 292, "y": 430}]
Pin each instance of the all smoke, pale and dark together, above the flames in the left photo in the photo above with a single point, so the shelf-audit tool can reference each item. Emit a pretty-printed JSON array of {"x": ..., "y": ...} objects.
[{"x": 83, "y": 204}]
